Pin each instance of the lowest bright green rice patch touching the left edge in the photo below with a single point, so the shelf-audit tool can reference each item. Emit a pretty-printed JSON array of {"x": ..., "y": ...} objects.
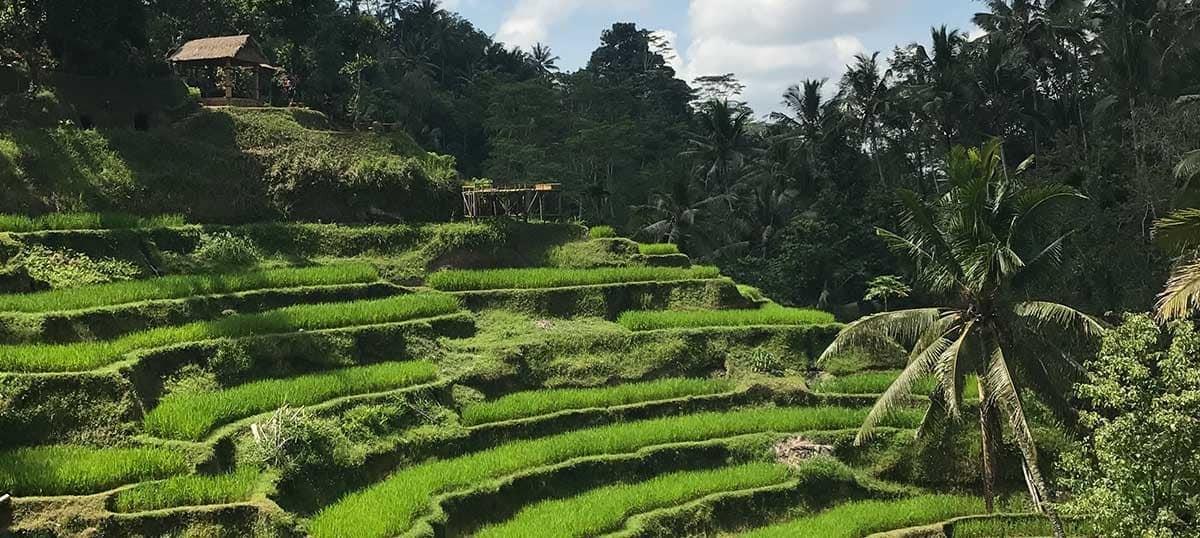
[{"x": 73, "y": 470}]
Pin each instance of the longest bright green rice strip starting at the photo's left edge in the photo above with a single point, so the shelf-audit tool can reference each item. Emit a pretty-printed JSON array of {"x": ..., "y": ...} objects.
[{"x": 85, "y": 356}]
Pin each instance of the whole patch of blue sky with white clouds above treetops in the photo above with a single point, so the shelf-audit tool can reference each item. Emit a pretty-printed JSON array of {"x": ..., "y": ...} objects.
[{"x": 769, "y": 44}]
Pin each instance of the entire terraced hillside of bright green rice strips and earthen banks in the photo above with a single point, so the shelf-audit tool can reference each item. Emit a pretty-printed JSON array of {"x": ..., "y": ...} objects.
[{"x": 451, "y": 380}]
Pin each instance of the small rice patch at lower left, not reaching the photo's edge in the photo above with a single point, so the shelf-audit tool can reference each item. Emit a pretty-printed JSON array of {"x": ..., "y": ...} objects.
[{"x": 189, "y": 492}]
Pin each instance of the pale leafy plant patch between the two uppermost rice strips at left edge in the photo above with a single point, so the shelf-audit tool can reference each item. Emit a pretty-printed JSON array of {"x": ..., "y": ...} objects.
[{"x": 68, "y": 270}]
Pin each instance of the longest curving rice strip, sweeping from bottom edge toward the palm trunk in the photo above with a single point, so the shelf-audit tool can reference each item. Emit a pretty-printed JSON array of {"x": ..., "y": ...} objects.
[{"x": 392, "y": 506}]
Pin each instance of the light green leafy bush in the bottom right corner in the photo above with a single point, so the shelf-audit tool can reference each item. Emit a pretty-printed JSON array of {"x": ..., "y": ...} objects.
[{"x": 1139, "y": 470}]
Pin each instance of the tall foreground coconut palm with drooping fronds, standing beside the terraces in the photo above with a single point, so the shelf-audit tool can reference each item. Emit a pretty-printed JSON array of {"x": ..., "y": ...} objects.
[{"x": 971, "y": 248}]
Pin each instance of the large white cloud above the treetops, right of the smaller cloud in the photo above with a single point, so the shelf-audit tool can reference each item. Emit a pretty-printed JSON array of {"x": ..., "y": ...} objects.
[{"x": 773, "y": 44}]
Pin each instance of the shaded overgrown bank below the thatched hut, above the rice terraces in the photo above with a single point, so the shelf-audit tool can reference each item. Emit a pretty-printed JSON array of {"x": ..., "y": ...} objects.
[{"x": 226, "y": 166}]
